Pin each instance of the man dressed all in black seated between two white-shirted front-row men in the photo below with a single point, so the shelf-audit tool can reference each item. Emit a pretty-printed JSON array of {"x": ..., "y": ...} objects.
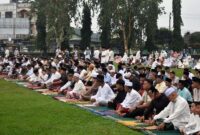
[{"x": 121, "y": 94}]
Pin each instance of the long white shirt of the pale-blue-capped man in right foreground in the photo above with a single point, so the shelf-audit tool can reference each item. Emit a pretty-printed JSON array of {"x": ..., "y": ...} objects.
[{"x": 177, "y": 112}]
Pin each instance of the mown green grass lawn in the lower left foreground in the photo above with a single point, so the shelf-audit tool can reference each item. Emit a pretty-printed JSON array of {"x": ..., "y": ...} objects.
[{"x": 24, "y": 112}]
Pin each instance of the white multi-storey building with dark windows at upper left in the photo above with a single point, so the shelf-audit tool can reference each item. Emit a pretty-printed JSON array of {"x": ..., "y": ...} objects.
[{"x": 15, "y": 21}]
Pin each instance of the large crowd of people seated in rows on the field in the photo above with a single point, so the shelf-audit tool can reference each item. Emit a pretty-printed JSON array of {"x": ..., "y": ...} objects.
[{"x": 141, "y": 87}]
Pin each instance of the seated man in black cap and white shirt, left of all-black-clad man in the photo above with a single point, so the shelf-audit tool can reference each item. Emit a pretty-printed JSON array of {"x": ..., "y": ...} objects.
[{"x": 104, "y": 95}]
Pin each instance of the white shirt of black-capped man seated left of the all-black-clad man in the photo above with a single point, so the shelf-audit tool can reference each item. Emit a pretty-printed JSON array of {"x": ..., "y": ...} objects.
[{"x": 104, "y": 95}]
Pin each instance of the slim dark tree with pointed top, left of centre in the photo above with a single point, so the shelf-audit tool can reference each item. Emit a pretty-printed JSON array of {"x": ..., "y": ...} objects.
[{"x": 86, "y": 31}]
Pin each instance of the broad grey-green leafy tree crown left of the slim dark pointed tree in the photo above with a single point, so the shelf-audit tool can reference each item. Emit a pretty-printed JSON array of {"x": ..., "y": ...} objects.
[{"x": 59, "y": 16}]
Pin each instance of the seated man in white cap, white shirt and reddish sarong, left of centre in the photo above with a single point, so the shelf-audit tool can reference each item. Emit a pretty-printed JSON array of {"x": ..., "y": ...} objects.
[{"x": 78, "y": 89}]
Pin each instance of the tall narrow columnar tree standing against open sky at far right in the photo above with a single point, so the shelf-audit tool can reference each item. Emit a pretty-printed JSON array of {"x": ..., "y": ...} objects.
[{"x": 177, "y": 43}]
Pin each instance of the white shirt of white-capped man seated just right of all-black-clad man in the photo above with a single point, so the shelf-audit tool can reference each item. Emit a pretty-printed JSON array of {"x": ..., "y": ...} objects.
[{"x": 132, "y": 99}]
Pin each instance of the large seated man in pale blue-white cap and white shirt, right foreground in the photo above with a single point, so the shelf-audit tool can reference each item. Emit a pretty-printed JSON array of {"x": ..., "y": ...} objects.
[{"x": 176, "y": 115}]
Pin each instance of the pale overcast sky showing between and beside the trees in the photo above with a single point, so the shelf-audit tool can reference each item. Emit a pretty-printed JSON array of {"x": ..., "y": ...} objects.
[{"x": 190, "y": 15}]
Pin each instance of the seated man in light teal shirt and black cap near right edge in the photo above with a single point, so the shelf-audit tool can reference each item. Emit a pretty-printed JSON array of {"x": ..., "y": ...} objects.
[{"x": 184, "y": 92}]
